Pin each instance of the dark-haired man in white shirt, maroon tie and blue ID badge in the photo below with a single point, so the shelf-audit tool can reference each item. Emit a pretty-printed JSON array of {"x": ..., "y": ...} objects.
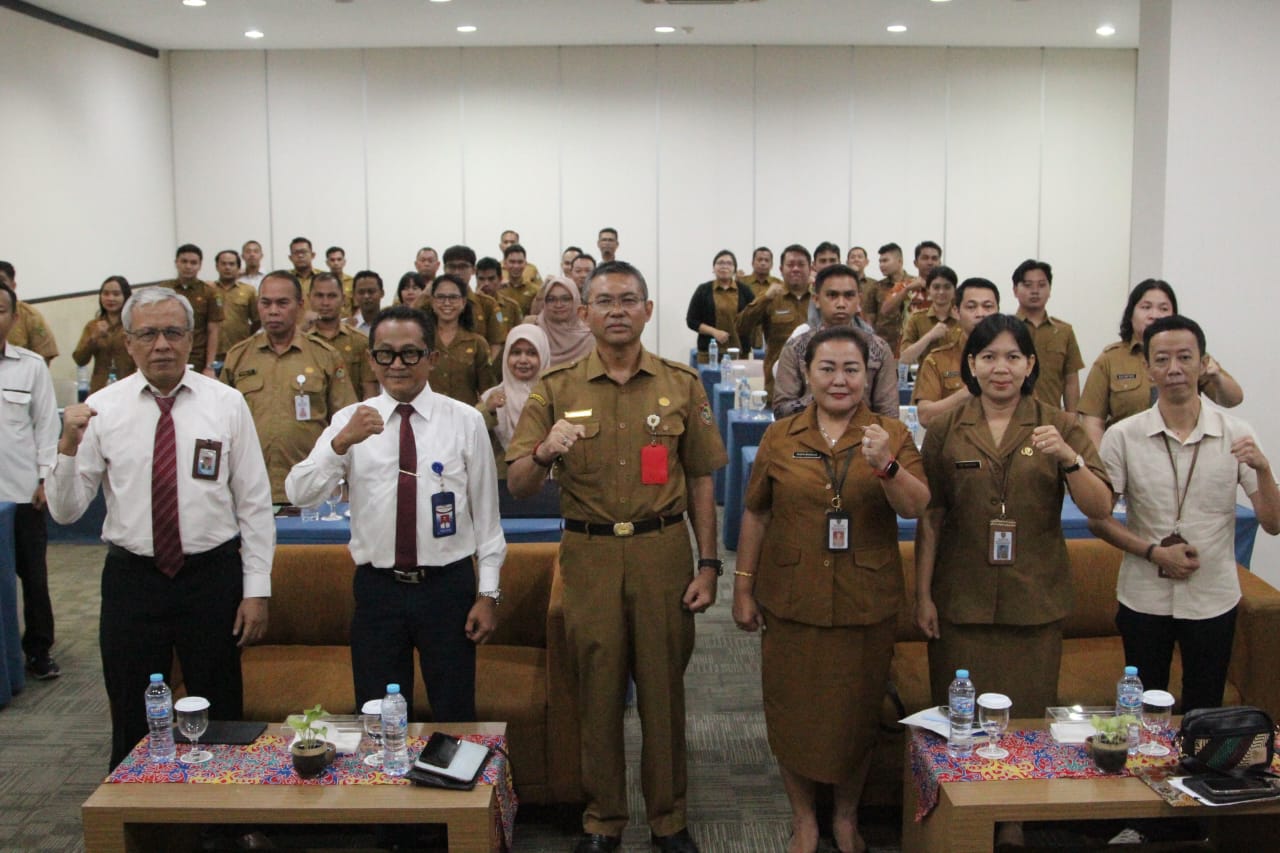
[{"x": 424, "y": 501}]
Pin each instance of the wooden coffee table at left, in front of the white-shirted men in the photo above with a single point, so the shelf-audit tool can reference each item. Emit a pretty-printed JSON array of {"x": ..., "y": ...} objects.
[{"x": 158, "y": 816}]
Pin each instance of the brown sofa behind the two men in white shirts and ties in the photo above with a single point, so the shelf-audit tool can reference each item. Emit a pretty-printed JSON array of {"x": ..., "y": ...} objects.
[{"x": 522, "y": 673}]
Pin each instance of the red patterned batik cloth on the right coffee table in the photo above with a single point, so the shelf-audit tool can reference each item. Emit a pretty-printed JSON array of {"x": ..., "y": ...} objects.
[{"x": 1032, "y": 755}]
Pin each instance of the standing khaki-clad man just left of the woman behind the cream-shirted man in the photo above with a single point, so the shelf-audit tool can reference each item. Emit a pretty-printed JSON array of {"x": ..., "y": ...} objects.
[{"x": 1057, "y": 352}]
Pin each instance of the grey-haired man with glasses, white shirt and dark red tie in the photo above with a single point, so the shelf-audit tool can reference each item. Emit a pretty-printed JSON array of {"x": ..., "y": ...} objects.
[{"x": 189, "y": 522}]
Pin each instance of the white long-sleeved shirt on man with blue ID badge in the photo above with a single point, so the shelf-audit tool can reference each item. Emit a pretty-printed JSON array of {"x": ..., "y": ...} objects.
[{"x": 446, "y": 432}]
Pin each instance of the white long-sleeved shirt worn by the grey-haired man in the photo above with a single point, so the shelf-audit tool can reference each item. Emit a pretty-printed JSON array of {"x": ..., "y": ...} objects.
[{"x": 117, "y": 453}]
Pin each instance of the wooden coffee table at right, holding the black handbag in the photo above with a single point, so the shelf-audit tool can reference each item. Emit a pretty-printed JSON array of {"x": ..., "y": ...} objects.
[{"x": 966, "y": 818}]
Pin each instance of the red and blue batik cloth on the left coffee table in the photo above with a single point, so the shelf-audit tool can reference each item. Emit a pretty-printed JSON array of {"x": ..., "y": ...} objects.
[{"x": 267, "y": 763}]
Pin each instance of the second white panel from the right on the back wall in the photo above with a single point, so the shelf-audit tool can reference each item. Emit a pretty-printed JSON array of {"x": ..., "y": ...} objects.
[{"x": 994, "y": 163}]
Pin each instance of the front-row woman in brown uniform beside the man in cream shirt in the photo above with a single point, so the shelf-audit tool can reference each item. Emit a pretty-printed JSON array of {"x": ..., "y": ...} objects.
[{"x": 993, "y": 576}]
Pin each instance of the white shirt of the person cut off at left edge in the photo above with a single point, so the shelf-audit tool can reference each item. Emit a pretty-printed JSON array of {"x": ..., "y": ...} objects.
[{"x": 29, "y": 423}]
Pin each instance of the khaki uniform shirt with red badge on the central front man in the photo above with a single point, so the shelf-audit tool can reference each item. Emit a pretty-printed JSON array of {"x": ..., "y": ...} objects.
[{"x": 600, "y": 477}]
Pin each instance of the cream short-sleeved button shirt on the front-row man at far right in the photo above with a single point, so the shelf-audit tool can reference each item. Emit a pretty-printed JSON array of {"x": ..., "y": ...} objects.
[{"x": 1133, "y": 451}]
